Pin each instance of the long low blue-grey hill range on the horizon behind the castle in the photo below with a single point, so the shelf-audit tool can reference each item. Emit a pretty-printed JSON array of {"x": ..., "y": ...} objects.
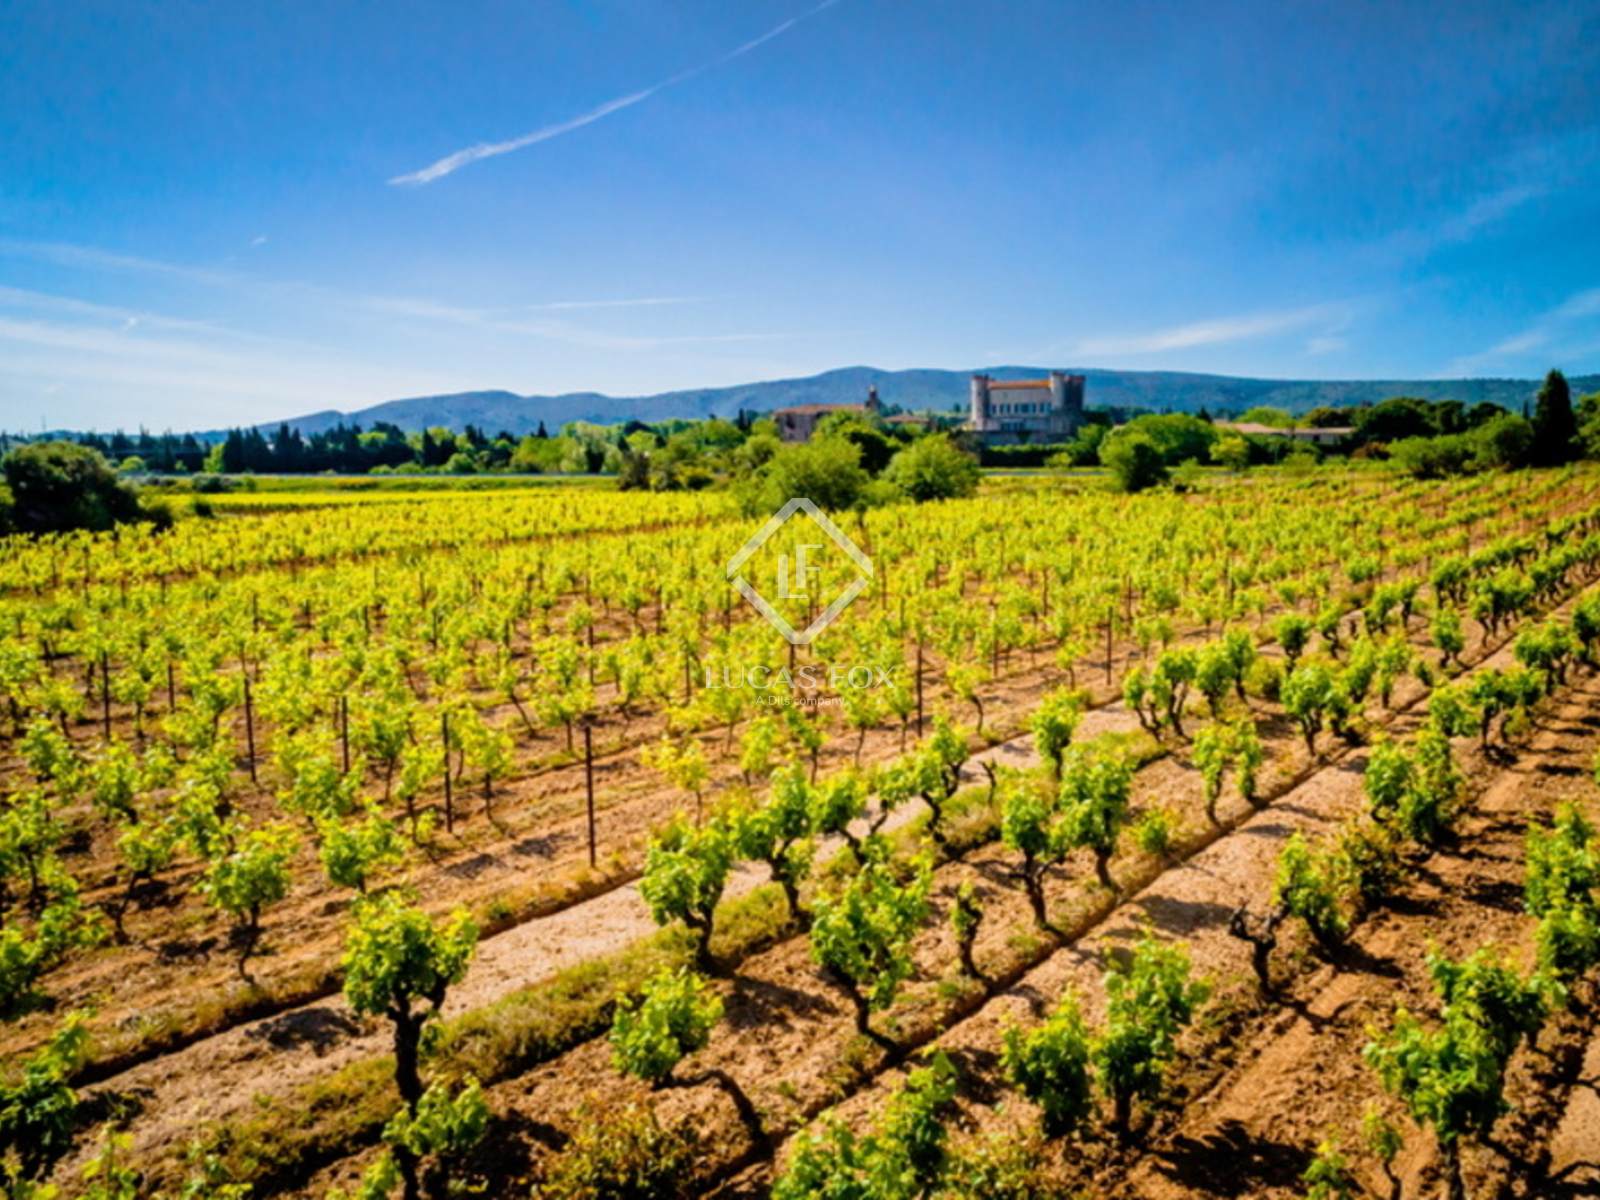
[{"x": 1178, "y": 391}]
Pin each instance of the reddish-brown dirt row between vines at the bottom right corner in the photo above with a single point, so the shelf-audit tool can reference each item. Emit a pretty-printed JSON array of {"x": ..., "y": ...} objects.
[{"x": 1262, "y": 1103}]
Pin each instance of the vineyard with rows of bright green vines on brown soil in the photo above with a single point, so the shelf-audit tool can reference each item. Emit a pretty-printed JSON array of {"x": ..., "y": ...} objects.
[{"x": 1190, "y": 844}]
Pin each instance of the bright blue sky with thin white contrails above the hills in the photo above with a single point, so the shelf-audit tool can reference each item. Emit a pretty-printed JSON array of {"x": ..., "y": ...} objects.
[{"x": 223, "y": 214}]
